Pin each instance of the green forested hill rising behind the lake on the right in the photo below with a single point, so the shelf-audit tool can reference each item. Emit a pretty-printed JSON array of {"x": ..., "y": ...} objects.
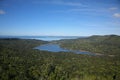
[{"x": 107, "y": 45}]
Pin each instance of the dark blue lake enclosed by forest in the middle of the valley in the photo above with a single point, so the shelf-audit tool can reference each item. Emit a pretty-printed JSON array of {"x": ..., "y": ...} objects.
[{"x": 57, "y": 48}]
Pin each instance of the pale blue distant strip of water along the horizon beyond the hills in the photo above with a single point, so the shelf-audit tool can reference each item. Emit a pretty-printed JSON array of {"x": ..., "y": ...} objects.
[{"x": 44, "y": 38}]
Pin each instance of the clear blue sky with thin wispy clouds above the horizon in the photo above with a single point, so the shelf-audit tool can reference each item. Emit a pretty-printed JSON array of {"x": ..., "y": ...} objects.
[{"x": 59, "y": 17}]
